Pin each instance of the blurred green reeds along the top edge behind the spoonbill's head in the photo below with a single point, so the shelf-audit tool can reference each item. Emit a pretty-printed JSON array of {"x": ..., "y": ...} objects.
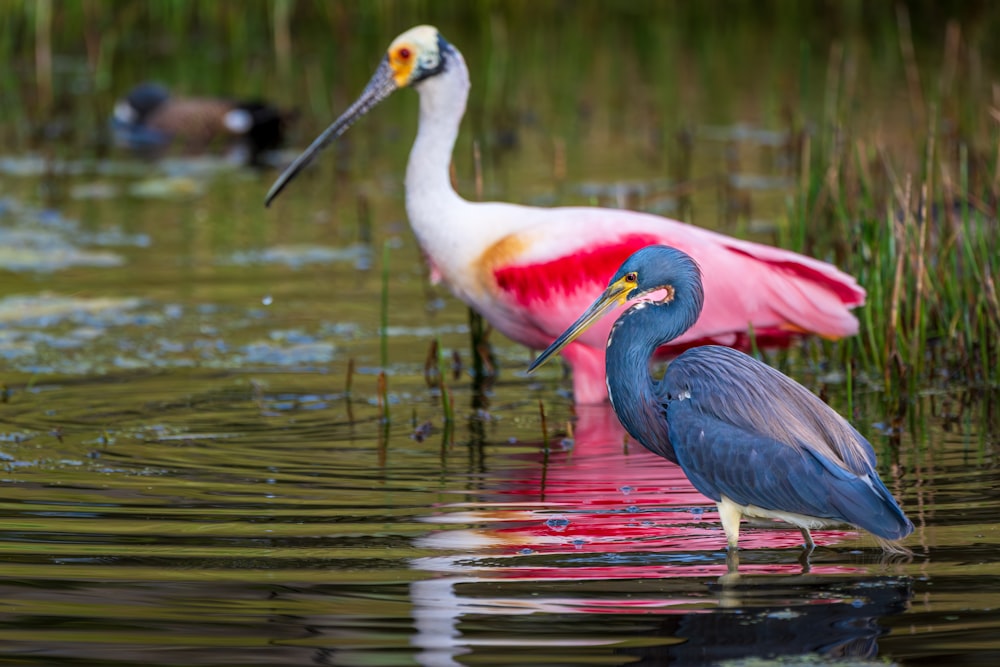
[{"x": 651, "y": 63}]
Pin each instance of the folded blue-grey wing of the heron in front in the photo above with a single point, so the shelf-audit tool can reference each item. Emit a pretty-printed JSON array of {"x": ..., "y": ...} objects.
[{"x": 741, "y": 429}]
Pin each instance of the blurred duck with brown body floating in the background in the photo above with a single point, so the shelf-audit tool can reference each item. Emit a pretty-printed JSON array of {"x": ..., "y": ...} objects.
[{"x": 149, "y": 121}]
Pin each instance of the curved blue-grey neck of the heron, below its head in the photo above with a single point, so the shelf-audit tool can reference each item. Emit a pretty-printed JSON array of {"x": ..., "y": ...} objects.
[{"x": 634, "y": 338}]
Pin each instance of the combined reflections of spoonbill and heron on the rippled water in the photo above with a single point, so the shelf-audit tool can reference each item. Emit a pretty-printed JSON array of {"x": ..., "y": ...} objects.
[{"x": 620, "y": 535}]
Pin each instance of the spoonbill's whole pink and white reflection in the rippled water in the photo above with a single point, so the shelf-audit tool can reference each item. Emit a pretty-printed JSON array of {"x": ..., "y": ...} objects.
[{"x": 592, "y": 513}]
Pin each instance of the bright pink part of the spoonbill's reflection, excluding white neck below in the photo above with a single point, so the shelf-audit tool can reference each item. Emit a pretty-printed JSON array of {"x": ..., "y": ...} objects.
[{"x": 603, "y": 498}]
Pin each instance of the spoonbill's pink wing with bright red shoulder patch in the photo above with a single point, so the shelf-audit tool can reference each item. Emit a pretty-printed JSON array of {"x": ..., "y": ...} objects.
[{"x": 543, "y": 278}]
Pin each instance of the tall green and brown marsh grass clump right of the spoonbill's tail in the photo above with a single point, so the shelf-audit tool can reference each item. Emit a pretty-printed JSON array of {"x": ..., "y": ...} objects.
[{"x": 917, "y": 225}]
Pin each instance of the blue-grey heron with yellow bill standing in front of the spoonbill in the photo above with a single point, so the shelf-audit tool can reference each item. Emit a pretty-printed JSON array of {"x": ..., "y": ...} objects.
[{"x": 747, "y": 436}]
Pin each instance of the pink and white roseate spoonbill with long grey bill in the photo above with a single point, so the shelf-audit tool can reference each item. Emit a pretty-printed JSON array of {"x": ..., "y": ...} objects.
[{"x": 529, "y": 270}]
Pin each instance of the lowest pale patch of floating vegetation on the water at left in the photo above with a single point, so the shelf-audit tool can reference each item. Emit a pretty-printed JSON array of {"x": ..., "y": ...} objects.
[{"x": 75, "y": 336}]
